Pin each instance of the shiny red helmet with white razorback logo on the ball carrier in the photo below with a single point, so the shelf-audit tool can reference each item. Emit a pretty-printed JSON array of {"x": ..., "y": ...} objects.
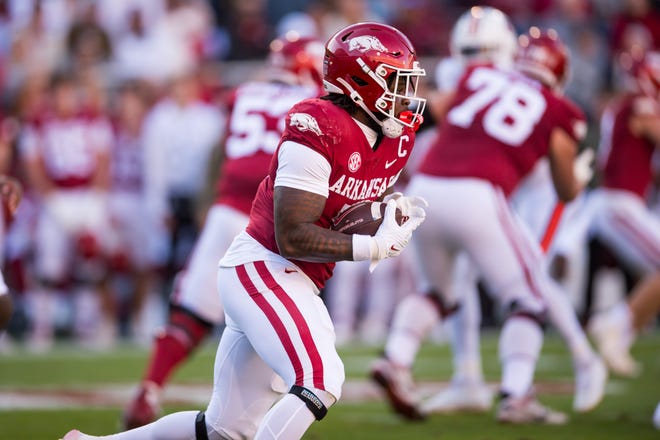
[{"x": 375, "y": 65}]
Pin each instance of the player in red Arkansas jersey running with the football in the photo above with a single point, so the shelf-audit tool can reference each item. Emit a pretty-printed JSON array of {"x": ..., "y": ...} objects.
[{"x": 348, "y": 146}]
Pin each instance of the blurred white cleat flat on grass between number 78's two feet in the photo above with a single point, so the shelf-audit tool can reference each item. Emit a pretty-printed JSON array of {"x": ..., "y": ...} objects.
[{"x": 460, "y": 396}]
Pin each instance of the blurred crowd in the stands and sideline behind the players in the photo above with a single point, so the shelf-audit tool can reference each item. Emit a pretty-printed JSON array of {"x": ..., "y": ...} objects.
[{"x": 110, "y": 111}]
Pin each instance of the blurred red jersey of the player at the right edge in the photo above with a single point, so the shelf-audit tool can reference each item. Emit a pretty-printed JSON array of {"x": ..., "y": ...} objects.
[{"x": 626, "y": 158}]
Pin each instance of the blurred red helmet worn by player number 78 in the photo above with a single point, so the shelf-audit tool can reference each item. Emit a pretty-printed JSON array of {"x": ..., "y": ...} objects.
[{"x": 543, "y": 56}]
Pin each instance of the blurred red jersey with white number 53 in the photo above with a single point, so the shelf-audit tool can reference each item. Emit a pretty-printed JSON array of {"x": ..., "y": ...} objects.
[{"x": 256, "y": 121}]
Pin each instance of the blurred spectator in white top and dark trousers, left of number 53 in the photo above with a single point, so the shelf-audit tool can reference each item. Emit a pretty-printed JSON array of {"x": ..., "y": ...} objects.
[{"x": 180, "y": 132}]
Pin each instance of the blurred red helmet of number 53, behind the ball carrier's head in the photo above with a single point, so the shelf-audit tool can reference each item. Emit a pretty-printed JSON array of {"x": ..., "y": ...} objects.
[{"x": 297, "y": 59}]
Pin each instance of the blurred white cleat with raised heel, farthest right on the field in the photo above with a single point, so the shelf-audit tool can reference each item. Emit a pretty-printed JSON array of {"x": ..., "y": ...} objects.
[{"x": 613, "y": 338}]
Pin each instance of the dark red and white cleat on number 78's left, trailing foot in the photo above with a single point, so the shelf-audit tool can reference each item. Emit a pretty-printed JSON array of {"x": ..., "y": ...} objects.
[{"x": 398, "y": 386}]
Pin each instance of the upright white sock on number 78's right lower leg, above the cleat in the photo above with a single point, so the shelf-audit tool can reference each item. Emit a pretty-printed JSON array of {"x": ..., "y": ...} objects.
[{"x": 521, "y": 340}]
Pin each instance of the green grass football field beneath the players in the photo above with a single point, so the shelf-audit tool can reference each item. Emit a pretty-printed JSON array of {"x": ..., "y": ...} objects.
[{"x": 70, "y": 373}]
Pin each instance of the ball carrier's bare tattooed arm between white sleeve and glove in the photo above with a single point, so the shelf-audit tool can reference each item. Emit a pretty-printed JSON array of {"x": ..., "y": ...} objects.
[{"x": 295, "y": 212}]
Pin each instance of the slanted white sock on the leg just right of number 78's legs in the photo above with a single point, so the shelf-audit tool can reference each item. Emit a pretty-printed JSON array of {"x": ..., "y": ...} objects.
[{"x": 562, "y": 315}]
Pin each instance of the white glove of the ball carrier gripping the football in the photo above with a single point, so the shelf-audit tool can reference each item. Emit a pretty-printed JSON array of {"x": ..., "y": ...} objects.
[{"x": 390, "y": 239}]
